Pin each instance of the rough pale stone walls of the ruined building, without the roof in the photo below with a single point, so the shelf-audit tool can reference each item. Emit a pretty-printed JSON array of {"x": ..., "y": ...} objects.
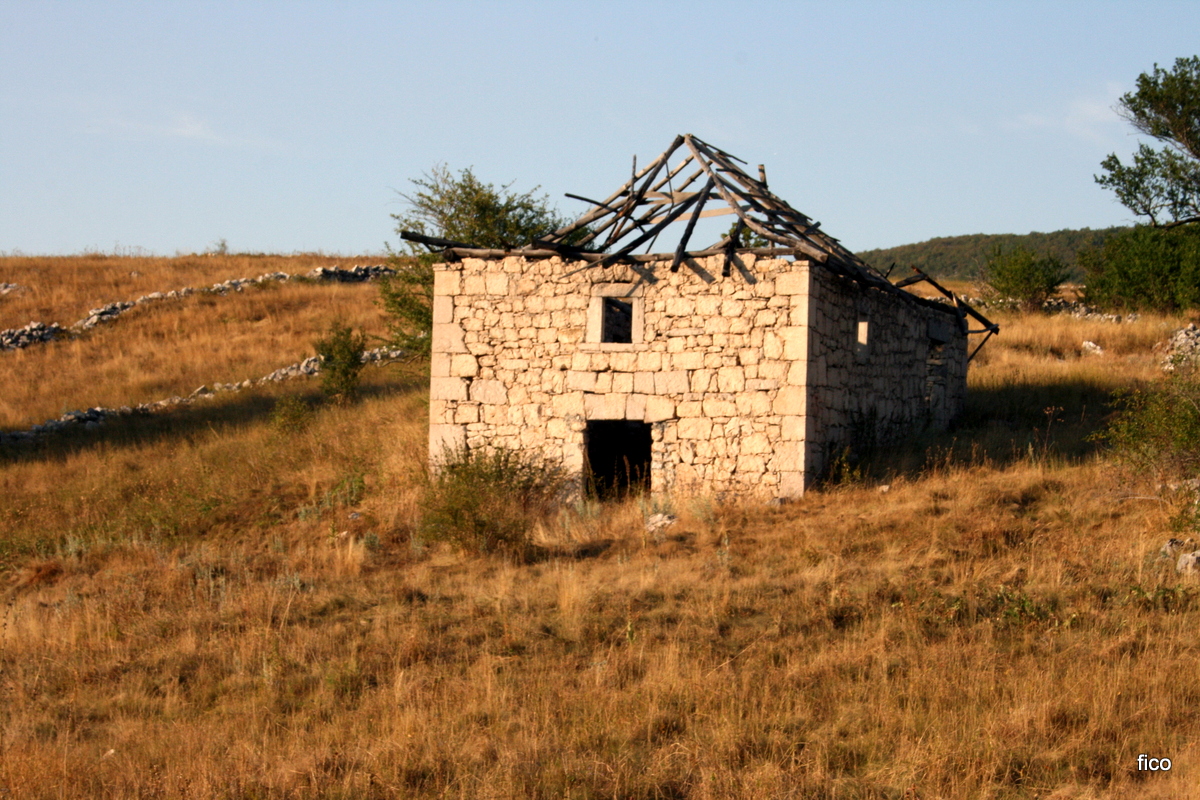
[{"x": 718, "y": 366}]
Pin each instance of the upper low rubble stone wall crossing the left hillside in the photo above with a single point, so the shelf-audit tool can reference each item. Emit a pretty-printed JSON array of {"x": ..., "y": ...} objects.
[{"x": 38, "y": 333}]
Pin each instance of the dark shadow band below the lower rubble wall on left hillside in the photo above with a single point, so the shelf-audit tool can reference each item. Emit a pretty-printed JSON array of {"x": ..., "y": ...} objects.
[{"x": 226, "y": 412}]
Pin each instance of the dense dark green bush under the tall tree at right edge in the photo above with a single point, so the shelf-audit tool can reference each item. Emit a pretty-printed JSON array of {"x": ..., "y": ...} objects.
[{"x": 1145, "y": 268}]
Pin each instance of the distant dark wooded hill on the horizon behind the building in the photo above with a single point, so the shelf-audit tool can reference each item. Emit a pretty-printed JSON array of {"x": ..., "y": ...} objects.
[{"x": 963, "y": 257}]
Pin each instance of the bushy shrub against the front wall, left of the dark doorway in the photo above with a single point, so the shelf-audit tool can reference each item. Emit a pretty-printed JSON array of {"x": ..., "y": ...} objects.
[{"x": 488, "y": 502}]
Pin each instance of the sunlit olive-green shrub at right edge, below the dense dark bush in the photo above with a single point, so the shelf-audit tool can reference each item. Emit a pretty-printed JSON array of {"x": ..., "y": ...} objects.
[{"x": 1157, "y": 430}]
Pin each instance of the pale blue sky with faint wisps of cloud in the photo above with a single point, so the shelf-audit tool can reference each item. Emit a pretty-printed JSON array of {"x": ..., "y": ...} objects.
[{"x": 291, "y": 127}]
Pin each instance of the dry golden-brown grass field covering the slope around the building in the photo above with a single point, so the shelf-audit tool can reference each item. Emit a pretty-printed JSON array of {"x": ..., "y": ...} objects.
[{"x": 224, "y": 603}]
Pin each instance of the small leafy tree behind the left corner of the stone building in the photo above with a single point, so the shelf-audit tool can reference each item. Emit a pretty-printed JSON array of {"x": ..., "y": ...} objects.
[{"x": 459, "y": 209}]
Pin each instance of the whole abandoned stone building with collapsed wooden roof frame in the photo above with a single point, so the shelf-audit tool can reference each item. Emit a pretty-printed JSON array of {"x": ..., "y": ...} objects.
[{"x": 745, "y": 366}]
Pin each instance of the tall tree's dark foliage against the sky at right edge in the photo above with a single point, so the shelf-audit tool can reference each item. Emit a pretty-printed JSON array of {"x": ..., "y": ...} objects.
[{"x": 1162, "y": 185}]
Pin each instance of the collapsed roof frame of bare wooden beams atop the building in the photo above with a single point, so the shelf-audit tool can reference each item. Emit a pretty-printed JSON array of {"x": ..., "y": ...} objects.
[{"x": 667, "y": 191}]
